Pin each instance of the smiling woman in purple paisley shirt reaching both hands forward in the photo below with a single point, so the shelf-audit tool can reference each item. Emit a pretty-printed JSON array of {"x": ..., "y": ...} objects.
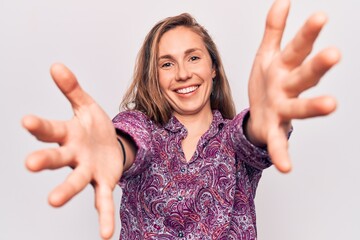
[{"x": 188, "y": 166}]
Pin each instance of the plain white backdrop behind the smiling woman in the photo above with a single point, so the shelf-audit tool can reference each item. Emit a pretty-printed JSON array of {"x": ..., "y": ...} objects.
[{"x": 99, "y": 41}]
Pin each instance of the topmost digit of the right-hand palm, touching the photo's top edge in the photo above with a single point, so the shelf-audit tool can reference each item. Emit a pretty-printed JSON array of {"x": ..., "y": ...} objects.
[{"x": 275, "y": 25}]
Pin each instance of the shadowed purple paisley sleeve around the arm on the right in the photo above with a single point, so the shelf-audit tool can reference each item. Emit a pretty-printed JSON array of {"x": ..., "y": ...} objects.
[{"x": 250, "y": 154}]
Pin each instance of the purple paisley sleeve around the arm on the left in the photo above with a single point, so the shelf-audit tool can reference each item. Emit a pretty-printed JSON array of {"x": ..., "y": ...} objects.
[{"x": 139, "y": 127}]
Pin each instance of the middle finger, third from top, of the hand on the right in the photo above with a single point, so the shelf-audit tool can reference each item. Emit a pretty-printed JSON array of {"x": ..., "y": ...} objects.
[{"x": 310, "y": 73}]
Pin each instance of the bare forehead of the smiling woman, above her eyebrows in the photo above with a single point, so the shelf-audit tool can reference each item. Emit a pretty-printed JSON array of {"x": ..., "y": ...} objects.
[{"x": 178, "y": 40}]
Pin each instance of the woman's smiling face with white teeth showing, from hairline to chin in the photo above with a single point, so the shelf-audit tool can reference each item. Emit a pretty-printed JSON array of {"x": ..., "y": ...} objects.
[{"x": 185, "y": 71}]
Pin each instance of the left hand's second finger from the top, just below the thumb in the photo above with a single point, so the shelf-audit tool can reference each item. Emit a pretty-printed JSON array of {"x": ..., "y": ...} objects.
[{"x": 45, "y": 130}]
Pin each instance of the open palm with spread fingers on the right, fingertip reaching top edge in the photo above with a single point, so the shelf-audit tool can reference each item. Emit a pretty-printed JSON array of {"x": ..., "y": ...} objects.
[{"x": 278, "y": 78}]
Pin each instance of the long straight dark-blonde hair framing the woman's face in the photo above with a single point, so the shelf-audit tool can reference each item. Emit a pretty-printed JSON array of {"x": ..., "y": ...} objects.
[{"x": 144, "y": 94}]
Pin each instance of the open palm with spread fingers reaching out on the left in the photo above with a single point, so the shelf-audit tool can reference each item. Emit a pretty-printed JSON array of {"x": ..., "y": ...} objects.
[{"x": 87, "y": 143}]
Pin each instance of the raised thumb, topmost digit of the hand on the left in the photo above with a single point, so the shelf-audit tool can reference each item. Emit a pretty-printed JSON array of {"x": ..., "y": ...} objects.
[{"x": 67, "y": 83}]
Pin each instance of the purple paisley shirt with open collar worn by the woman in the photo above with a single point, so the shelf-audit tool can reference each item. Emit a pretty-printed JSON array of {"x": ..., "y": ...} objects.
[{"x": 209, "y": 197}]
